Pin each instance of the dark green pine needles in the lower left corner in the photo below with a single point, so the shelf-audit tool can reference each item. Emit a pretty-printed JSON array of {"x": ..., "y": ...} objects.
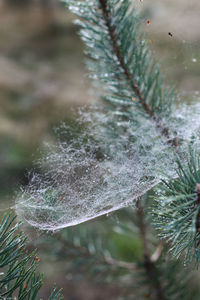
[{"x": 18, "y": 277}]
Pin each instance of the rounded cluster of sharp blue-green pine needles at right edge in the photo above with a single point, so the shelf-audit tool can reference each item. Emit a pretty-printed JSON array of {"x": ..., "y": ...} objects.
[{"x": 176, "y": 209}]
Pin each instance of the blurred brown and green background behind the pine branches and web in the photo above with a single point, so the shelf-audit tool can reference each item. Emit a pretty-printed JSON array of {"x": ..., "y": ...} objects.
[{"x": 42, "y": 77}]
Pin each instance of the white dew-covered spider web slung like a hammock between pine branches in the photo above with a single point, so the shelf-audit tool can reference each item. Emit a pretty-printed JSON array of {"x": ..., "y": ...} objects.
[{"x": 102, "y": 169}]
